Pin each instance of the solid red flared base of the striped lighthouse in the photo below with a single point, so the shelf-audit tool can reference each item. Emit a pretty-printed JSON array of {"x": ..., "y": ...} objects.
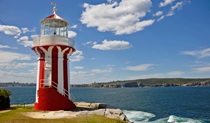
[{"x": 49, "y": 100}]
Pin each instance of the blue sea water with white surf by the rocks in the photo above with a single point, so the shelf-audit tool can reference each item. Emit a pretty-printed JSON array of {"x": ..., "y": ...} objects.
[{"x": 155, "y": 105}]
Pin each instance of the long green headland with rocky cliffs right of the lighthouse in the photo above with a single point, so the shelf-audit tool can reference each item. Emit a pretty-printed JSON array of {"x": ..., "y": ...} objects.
[{"x": 153, "y": 82}]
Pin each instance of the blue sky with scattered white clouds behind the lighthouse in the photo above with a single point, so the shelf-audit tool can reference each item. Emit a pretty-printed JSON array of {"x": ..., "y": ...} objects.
[{"x": 114, "y": 39}]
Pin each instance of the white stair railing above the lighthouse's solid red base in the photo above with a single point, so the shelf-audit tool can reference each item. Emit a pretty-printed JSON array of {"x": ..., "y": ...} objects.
[{"x": 44, "y": 83}]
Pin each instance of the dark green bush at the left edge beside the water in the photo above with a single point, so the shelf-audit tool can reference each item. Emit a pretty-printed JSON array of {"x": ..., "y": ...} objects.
[{"x": 4, "y": 99}]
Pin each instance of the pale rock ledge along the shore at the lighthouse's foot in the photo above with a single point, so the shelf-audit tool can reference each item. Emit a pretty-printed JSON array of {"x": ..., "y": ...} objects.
[{"x": 83, "y": 109}]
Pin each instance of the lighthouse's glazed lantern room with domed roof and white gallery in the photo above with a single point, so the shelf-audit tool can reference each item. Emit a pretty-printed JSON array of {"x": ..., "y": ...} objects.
[{"x": 54, "y": 31}]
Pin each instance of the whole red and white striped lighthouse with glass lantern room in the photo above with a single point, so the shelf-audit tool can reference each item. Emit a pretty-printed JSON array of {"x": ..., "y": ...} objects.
[{"x": 53, "y": 48}]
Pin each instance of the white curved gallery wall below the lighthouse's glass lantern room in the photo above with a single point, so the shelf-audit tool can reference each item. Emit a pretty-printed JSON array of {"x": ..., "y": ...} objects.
[{"x": 52, "y": 39}]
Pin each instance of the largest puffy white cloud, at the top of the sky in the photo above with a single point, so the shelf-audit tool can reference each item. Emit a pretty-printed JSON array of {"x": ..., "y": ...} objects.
[{"x": 121, "y": 18}]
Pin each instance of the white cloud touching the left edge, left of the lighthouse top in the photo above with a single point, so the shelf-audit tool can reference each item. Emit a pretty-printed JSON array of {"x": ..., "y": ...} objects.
[{"x": 10, "y": 30}]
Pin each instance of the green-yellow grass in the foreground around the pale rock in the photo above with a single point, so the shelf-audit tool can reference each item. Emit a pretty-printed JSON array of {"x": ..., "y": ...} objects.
[{"x": 15, "y": 116}]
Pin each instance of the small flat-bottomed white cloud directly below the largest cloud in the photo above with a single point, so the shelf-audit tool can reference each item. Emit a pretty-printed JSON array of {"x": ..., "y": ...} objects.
[{"x": 112, "y": 45}]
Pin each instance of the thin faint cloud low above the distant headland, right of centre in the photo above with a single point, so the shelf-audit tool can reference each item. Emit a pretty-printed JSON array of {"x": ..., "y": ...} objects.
[{"x": 141, "y": 67}]
